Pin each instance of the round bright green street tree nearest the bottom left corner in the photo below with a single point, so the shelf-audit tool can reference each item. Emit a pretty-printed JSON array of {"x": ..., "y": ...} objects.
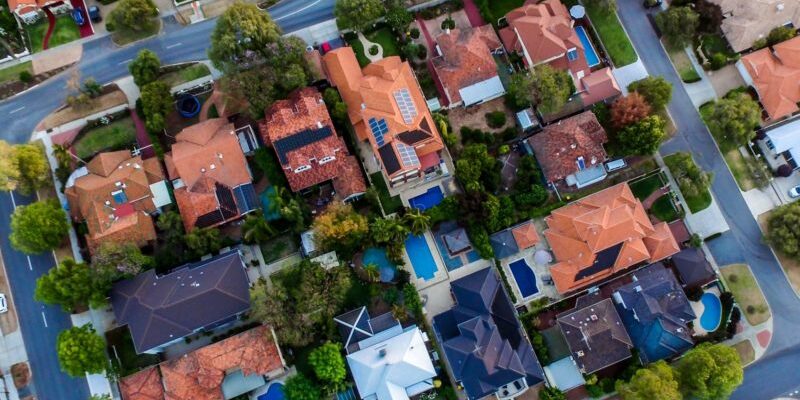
[{"x": 80, "y": 351}]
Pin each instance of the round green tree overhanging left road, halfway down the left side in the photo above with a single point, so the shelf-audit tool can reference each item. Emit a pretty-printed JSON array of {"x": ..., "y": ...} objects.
[{"x": 38, "y": 227}]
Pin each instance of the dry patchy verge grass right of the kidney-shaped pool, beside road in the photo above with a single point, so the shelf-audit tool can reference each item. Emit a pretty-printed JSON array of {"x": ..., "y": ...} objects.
[{"x": 741, "y": 282}]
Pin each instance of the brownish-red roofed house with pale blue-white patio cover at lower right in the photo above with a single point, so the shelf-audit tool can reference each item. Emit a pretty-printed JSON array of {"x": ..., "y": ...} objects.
[{"x": 571, "y": 150}]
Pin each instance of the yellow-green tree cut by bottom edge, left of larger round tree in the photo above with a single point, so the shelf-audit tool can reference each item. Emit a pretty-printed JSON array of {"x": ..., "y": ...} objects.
[{"x": 656, "y": 382}]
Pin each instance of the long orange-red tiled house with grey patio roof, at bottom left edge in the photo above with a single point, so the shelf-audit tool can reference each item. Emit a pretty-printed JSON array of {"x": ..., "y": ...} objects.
[{"x": 225, "y": 370}]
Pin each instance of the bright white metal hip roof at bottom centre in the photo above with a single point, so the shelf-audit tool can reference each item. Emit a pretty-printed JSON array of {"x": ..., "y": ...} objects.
[{"x": 393, "y": 369}]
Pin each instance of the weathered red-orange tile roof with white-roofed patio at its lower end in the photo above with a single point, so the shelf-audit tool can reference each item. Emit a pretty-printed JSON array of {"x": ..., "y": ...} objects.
[{"x": 466, "y": 59}]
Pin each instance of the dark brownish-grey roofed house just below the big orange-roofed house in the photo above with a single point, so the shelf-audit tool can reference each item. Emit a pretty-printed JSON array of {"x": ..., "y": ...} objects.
[{"x": 595, "y": 334}]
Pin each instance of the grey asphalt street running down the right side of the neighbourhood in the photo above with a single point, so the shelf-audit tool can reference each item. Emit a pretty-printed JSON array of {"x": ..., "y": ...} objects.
[{"x": 777, "y": 373}]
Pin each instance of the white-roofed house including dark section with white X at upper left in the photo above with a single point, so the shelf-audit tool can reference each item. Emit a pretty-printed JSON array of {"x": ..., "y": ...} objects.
[{"x": 388, "y": 362}]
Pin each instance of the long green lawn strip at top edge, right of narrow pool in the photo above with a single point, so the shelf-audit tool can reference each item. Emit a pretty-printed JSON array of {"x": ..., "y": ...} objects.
[{"x": 614, "y": 38}]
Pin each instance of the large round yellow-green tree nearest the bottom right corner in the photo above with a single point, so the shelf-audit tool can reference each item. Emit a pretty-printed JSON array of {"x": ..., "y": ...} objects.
[{"x": 710, "y": 372}]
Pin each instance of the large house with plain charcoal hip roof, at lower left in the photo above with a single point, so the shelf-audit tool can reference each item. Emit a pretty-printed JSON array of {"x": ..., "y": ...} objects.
[{"x": 162, "y": 310}]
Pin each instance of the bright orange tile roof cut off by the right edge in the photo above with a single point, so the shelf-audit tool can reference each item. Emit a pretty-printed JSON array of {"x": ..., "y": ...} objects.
[{"x": 775, "y": 77}]
